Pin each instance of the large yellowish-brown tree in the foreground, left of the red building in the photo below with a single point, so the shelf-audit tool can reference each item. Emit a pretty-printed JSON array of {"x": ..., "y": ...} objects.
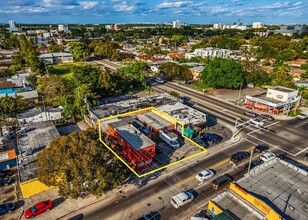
[{"x": 79, "y": 162}]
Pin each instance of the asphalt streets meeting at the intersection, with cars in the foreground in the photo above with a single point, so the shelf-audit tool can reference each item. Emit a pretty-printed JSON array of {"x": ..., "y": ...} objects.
[{"x": 282, "y": 136}]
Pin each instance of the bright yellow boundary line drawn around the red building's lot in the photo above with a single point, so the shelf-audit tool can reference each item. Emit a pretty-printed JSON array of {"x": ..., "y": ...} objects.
[{"x": 151, "y": 109}]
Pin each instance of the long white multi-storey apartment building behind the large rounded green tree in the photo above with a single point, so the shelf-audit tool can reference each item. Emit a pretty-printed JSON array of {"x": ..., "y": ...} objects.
[{"x": 209, "y": 52}]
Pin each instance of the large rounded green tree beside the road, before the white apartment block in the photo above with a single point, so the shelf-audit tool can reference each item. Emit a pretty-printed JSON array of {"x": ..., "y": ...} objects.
[{"x": 223, "y": 73}]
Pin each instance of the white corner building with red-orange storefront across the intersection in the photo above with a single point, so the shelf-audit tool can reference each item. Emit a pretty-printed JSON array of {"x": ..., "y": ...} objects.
[{"x": 275, "y": 100}]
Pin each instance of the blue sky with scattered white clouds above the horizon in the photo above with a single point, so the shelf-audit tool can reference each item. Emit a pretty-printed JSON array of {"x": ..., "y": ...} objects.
[{"x": 139, "y": 11}]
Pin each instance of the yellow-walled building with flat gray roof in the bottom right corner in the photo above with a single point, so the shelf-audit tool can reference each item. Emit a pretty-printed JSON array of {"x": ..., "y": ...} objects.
[{"x": 277, "y": 189}]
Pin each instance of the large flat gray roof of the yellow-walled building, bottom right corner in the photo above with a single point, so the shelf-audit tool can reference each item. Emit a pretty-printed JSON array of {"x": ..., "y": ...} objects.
[{"x": 281, "y": 185}]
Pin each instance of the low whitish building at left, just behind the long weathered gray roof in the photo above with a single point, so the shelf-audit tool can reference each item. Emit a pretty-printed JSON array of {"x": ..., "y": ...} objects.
[{"x": 38, "y": 115}]
